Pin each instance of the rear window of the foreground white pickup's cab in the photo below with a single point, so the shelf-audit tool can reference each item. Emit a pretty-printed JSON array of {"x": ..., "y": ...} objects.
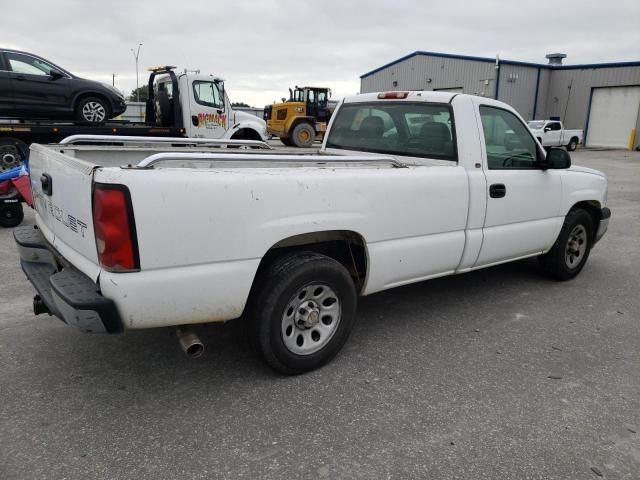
[{"x": 401, "y": 128}]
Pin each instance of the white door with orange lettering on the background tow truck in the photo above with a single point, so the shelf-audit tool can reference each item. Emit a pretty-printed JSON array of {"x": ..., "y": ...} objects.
[{"x": 209, "y": 117}]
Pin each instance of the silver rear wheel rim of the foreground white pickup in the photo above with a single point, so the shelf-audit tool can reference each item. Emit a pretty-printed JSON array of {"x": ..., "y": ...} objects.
[{"x": 310, "y": 319}]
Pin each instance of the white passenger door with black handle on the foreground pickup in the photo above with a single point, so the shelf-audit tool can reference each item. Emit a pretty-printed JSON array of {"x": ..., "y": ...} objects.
[{"x": 523, "y": 201}]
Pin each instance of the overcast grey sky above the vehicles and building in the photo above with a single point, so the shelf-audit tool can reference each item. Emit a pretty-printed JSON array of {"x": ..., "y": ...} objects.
[{"x": 262, "y": 47}]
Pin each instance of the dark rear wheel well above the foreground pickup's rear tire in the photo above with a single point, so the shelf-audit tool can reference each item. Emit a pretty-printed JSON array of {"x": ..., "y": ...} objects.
[{"x": 345, "y": 246}]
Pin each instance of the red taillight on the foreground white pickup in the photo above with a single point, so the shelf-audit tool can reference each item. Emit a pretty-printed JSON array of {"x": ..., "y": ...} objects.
[{"x": 114, "y": 228}]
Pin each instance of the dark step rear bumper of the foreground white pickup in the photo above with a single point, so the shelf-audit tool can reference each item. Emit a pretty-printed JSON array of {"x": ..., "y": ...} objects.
[{"x": 66, "y": 292}]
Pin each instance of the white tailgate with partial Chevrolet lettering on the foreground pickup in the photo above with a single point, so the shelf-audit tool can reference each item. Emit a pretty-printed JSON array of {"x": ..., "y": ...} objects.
[{"x": 62, "y": 190}]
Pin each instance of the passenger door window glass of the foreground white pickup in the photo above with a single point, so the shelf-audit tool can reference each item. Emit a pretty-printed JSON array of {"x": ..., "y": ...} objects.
[{"x": 509, "y": 143}]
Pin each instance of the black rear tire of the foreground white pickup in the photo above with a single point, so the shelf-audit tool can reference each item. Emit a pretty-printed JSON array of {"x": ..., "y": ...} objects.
[{"x": 276, "y": 287}]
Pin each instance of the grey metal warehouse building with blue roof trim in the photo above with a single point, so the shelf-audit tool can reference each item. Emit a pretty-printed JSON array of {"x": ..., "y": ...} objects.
[{"x": 602, "y": 99}]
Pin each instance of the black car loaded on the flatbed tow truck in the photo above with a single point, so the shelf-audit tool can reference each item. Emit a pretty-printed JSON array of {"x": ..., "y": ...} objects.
[{"x": 33, "y": 88}]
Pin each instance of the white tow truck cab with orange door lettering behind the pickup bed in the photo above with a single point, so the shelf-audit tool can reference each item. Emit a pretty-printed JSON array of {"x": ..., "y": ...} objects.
[{"x": 199, "y": 104}]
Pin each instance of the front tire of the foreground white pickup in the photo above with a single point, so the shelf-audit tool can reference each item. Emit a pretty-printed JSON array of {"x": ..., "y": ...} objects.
[{"x": 556, "y": 262}]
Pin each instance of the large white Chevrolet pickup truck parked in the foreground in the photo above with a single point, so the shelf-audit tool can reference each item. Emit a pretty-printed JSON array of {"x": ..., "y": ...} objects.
[{"x": 407, "y": 186}]
